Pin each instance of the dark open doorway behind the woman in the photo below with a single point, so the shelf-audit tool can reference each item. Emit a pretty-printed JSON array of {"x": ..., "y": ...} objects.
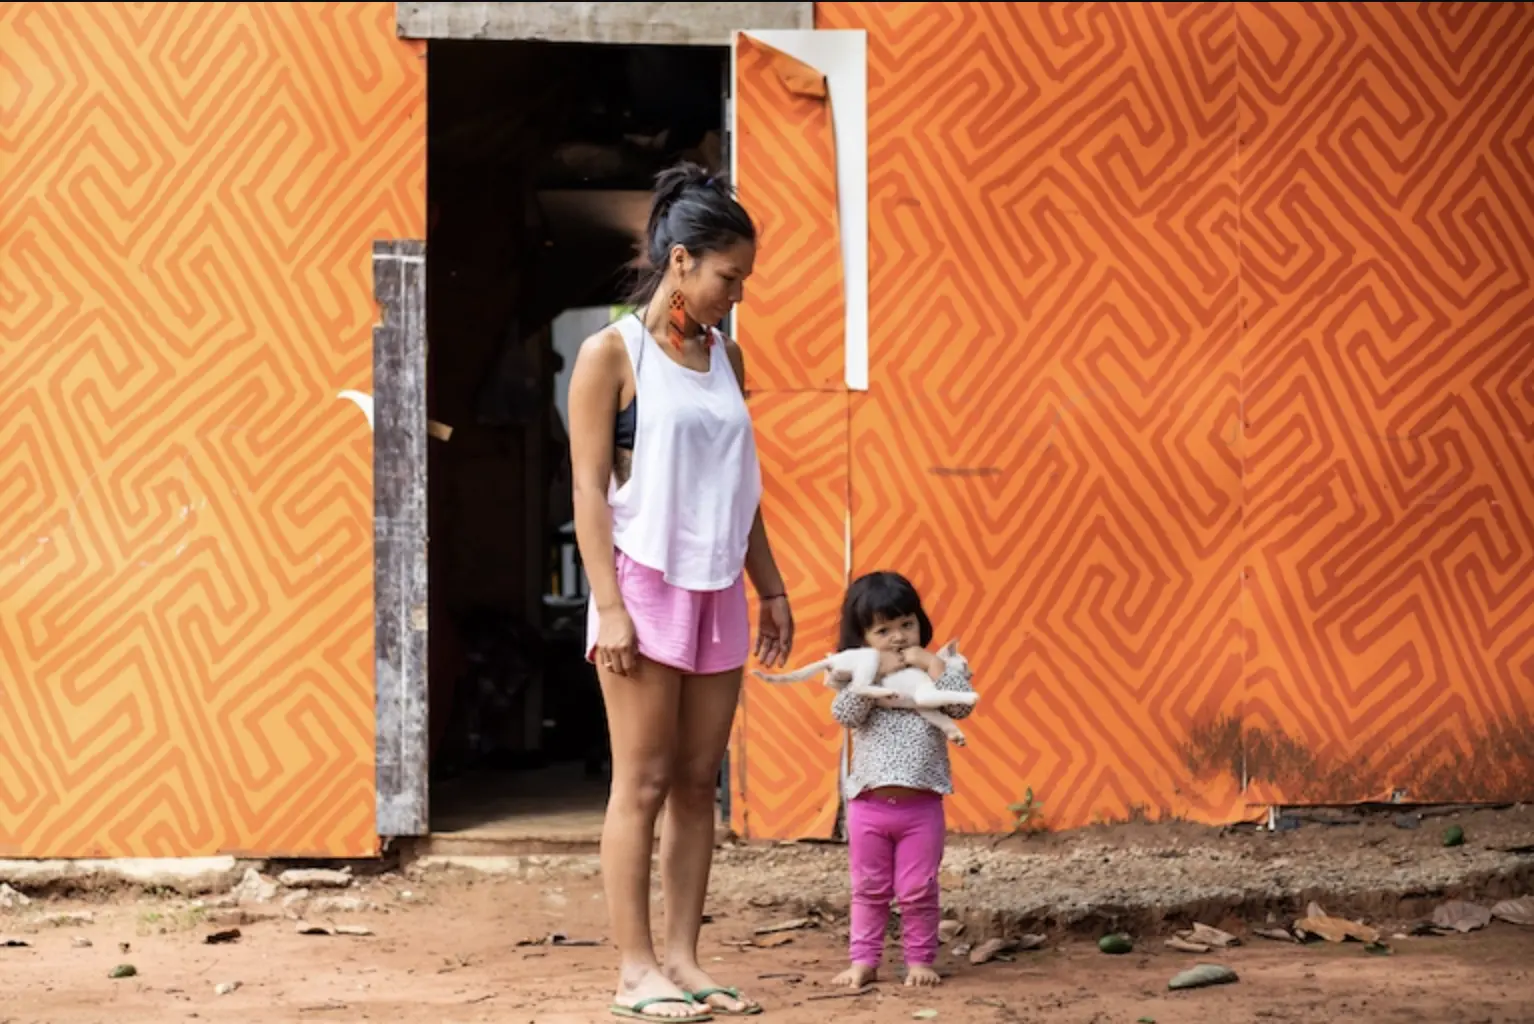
[{"x": 541, "y": 160}]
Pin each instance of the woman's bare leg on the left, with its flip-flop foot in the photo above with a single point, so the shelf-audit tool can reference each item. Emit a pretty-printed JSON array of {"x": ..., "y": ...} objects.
[{"x": 644, "y": 712}]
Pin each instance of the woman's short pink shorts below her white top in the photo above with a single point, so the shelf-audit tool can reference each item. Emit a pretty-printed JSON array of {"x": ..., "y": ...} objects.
[{"x": 696, "y": 632}]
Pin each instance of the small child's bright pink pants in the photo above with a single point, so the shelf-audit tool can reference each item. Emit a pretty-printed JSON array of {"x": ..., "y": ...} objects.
[{"x": 897, "y": 852}]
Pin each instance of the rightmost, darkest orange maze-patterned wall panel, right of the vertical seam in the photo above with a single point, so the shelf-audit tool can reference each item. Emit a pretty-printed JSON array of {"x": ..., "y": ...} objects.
[{"x": 1388, "y": 277}]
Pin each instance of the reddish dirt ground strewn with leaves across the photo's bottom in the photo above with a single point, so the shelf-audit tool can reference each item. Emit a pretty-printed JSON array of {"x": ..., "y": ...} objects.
[{"x": 449, "y": 947}]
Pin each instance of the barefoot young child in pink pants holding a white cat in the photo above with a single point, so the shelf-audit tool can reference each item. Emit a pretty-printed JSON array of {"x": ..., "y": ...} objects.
[{"x": 897, "y": 786}]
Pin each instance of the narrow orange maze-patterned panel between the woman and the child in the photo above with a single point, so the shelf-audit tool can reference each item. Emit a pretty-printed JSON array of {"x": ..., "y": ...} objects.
[{"x": 786, "y": 746}]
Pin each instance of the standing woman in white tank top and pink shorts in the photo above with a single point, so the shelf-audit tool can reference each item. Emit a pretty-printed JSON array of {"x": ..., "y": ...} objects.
[{"x": 668, "y": 491}]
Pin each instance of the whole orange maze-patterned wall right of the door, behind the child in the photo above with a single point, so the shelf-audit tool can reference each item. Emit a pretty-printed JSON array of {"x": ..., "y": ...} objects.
[{"x": 1202, "y": 395}]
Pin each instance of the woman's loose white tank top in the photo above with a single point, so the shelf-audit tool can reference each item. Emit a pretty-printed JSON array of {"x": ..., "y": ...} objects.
[{"x": 691, "y": 499}]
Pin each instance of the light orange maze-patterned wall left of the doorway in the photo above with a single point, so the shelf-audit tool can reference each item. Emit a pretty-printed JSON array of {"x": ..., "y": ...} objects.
[{"x": 188, "y": 203}]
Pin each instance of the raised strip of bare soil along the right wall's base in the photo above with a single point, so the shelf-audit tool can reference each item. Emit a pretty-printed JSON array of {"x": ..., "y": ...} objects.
[{"x": 1151, "y": 878}]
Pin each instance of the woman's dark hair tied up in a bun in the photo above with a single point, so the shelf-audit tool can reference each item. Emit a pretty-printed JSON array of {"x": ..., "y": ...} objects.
[{"x": 691, "y": 209}]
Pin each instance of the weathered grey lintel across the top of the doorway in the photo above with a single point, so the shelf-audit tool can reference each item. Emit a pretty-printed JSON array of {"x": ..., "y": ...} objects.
[{"x": 677, "y": 24}]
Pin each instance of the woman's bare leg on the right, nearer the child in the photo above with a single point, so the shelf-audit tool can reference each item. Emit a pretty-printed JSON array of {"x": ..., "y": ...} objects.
[{"x": 708, "y": 712}]
